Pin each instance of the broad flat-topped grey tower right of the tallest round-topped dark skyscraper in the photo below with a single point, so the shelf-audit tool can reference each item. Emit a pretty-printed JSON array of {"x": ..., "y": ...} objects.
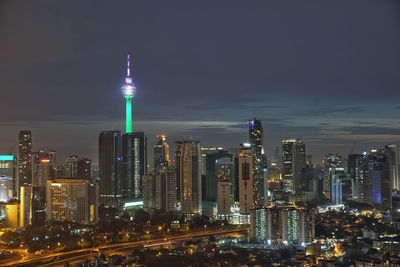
[{"x": 293, "y": 160}]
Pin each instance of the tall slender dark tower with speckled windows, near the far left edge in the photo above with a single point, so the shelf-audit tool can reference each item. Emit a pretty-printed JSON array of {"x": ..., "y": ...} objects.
[{"x": 24, "y": 157}]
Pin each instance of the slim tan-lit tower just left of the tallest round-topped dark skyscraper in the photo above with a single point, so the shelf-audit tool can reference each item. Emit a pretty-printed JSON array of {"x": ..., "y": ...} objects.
[{"x": 246, "y": 193}]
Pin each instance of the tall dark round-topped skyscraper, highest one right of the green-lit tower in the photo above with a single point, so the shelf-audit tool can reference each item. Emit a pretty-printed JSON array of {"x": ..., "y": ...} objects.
[{"x": 255, "y": 135}]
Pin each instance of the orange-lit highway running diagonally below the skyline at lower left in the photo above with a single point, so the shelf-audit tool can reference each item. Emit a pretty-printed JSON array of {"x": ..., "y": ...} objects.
[{"x": 83, "y": 254}]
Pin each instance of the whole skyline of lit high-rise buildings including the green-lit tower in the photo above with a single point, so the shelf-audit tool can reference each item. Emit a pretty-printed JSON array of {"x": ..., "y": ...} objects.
[{"x": 240, "y": 185}]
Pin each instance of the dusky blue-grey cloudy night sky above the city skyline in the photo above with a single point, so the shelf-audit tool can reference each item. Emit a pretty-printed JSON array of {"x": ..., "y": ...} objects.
[{"x": 327, "y": 72}]
